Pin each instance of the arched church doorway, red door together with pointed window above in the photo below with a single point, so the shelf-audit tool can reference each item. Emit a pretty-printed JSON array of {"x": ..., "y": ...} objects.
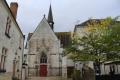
[{"x": 43, "y": 65}]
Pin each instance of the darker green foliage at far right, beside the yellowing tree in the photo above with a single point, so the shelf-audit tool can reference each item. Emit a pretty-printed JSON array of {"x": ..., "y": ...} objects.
[{"x": 112, "y": 43}]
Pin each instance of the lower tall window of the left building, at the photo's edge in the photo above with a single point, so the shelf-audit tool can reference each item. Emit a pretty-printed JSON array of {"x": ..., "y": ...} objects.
[{"x": 3, "y": 59}]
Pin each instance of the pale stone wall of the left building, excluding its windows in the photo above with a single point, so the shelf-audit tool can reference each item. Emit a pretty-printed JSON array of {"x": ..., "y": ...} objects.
[{"x": 14, "y": 44}]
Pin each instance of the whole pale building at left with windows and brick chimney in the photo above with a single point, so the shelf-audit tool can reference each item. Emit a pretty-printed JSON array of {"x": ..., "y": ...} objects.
[{"x": 11, "y": 41}]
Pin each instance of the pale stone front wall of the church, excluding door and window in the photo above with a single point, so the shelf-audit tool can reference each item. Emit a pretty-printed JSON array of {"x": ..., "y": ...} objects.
[{"x": 44, "y": 41}]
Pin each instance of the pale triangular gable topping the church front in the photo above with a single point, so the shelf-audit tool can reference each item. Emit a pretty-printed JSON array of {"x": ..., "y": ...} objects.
[{"x": 44, "y": 30}]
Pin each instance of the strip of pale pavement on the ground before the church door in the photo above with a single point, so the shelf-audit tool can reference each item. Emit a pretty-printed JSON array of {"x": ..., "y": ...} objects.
[{"x": 48, "y": 78}]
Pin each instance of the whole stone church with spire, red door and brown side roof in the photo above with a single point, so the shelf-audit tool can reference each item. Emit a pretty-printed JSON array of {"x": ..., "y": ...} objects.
[{"x": 44, "y": 48}]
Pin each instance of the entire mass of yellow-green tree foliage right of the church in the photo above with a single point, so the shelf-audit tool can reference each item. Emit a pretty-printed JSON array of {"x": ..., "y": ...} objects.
[{"x": 102, "y": 41}]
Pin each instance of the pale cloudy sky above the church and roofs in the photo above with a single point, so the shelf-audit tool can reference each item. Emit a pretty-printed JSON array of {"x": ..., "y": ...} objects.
[{"x": 66, "y": 13}]
